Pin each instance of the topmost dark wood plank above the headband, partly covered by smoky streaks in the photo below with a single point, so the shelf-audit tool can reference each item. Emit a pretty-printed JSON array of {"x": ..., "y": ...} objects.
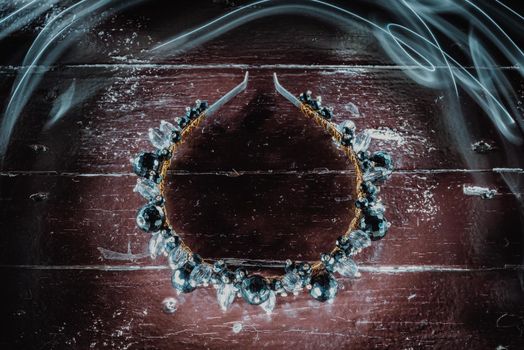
[{"x": 126, "y": 37}]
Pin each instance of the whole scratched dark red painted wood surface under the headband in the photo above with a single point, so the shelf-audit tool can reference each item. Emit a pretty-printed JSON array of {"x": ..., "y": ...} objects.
[{"x": 256, "y": 184}]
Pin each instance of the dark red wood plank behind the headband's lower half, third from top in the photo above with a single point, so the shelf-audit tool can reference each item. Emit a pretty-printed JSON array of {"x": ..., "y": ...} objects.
[{"x": 294, "y": 216}]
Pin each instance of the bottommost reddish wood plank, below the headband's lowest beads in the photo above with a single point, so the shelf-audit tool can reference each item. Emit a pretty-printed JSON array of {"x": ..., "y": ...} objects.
[{"x": 97, "y": 309}]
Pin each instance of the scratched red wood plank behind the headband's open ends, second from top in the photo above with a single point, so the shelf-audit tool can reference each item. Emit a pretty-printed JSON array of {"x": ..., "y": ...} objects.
[{"x": 103, "y": 132}]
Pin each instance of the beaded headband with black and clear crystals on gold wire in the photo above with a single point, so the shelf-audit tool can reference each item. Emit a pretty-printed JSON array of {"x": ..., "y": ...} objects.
[{"x": 191, "y": 271}]
